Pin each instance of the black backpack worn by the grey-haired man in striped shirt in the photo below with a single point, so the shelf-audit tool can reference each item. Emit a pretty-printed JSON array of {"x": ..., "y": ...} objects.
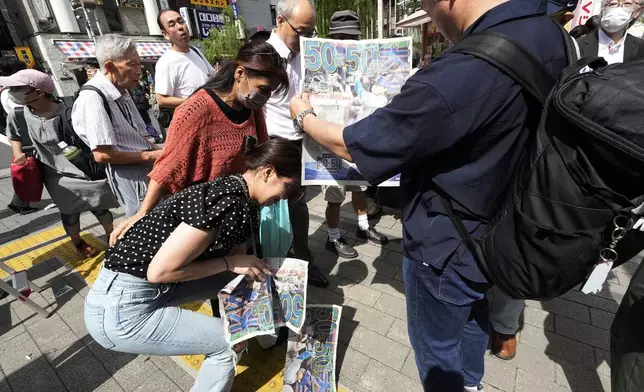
[{"x": 65, "y": 131}]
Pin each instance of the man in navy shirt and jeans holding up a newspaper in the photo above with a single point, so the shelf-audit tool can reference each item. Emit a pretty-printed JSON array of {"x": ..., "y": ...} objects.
[{"x": 458, "y": 125}]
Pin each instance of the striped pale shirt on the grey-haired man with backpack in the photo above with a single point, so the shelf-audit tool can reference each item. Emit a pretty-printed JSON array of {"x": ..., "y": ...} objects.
[{"x": 125, "y": 131}]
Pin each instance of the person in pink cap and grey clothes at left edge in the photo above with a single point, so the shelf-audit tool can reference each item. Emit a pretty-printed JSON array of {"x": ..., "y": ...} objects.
[{"x": 68, "y": 186}]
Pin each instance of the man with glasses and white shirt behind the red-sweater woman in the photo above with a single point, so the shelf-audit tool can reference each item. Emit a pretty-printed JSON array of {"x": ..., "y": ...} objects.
[{"x": 296, "y": 18}]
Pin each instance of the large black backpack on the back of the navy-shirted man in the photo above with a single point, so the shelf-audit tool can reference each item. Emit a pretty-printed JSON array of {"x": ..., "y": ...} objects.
[{"x": 580, "y": 177}]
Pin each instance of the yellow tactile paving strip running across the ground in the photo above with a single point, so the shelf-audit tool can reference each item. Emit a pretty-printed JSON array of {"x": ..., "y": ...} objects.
[{"x": 261, "y": 371}]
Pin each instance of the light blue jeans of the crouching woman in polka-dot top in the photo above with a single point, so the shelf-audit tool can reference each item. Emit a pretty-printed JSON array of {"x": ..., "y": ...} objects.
[{"x": 129, "y": 314}]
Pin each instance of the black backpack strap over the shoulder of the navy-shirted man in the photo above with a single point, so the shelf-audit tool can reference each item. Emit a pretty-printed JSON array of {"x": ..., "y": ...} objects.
[{"x": 512, "y": 58}]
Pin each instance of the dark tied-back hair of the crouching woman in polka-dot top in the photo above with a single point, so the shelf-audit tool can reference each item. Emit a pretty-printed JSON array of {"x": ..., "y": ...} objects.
[{"x": 282, "y": 154}]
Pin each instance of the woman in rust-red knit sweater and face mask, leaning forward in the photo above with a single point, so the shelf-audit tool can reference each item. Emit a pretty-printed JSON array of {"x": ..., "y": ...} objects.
[{"x": 206, "y": 133}]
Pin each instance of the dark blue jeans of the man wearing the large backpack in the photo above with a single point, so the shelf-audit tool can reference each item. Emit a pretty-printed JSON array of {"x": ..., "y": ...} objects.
[{"x": 448, "y": 326}]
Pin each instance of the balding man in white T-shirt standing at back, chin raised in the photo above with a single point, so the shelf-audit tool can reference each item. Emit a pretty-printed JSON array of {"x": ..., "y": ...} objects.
[{"x": 182, "y": 69}]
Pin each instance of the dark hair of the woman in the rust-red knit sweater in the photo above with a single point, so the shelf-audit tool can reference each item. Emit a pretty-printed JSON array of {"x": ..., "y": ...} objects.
[{"x": 259, "y": 59}]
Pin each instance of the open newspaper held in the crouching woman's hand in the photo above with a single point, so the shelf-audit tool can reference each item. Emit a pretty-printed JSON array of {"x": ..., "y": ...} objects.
[{"x": 250, "y": 308}]
